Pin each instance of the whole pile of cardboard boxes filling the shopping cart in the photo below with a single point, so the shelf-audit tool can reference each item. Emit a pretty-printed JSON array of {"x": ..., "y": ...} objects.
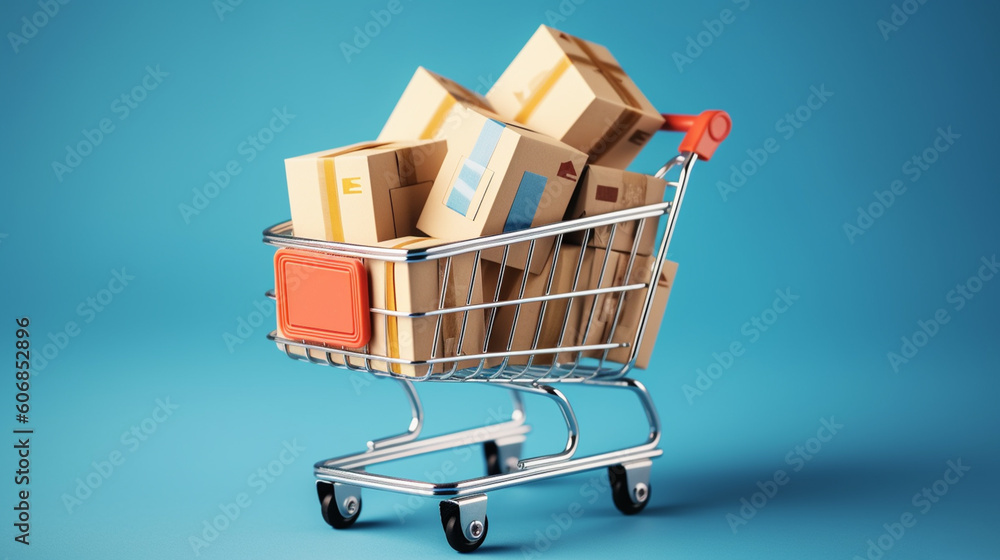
[{"x": 549, "y": 142}]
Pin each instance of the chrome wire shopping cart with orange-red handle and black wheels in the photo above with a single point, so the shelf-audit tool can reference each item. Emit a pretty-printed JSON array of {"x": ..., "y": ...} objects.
[{"x": 534, "y": 369}]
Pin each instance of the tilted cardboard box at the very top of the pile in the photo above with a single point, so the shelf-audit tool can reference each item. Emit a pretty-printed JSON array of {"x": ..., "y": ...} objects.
[{"x": 576, "y": 91}]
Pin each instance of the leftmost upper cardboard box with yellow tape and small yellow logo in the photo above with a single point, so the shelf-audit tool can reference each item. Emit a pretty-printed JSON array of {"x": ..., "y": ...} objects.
[{"x": 364, "y": 193}]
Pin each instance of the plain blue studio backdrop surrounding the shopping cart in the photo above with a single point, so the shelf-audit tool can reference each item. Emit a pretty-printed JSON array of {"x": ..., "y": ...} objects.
[{"x": 195, "y": 278}]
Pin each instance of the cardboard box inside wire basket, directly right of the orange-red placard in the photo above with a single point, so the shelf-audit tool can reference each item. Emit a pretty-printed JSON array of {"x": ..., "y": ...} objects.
[{"x": 416, "y": 288}]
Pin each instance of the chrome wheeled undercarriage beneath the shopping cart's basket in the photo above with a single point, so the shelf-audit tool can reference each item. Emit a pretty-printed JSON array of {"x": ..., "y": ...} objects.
[{"x": 463, "y": 514}]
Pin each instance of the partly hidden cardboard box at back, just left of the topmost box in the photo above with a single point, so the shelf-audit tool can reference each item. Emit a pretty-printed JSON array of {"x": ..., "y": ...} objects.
[{"x": 429, "y": 108}]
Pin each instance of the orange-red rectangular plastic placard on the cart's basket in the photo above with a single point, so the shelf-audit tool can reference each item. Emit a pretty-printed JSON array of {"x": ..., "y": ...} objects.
[{"x": 322, "y": 298}]
